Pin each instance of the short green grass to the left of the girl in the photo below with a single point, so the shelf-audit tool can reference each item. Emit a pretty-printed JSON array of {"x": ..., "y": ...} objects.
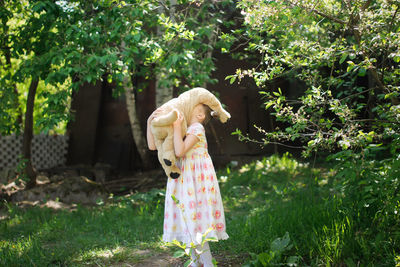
[{"x": 86, "y": 236}]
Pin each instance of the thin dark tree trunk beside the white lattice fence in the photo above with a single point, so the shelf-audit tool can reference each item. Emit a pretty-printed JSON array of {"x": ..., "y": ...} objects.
[{"x": 28, "y": 134}]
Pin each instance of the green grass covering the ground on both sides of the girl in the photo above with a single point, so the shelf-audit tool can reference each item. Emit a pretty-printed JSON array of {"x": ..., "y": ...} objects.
[{"x": 278, "y": 210}]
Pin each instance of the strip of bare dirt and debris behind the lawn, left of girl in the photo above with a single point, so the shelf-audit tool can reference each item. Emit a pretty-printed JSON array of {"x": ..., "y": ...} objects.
[{"x": 67, "y": 186}]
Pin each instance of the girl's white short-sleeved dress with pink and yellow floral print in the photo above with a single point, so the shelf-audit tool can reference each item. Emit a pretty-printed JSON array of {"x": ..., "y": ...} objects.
[{"x": 200, "y": 205}]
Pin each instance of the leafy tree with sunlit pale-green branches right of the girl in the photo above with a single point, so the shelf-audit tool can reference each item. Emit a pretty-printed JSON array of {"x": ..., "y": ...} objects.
[{"x": 346, "y": 53}]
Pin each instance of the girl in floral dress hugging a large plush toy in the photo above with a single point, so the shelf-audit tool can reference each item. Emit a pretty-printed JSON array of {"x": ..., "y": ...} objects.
[{"x": 200, "y": 207}]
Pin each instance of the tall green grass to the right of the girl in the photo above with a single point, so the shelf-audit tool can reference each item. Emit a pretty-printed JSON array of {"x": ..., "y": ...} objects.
[{"x": 320, "y": 208}]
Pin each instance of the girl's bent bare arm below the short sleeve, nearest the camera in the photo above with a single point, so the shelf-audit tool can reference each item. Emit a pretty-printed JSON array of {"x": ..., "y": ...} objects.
[{"x": 182, "y": 146}]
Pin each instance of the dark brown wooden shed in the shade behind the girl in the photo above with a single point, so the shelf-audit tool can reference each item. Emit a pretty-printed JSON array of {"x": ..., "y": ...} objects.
[{"x": 101, "y": 133}]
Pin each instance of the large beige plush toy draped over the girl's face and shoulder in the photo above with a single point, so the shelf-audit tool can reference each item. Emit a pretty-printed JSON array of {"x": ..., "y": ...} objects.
[{"x": 162, "y": 130}]
